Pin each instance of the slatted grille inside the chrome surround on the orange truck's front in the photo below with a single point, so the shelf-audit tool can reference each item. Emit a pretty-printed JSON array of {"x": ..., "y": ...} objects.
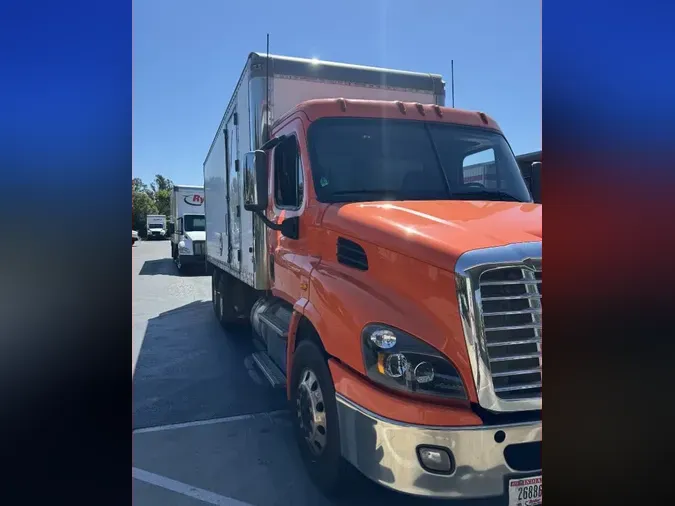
[{"x": 511, "y": 310}]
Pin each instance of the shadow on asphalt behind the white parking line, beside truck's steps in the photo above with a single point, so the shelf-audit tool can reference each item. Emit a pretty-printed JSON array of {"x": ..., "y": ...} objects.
[{"x": 190, "y": 369}]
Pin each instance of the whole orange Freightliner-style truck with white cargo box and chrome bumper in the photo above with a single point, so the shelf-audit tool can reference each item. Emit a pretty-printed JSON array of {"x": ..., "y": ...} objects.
[{"x": 396, "y": 294}]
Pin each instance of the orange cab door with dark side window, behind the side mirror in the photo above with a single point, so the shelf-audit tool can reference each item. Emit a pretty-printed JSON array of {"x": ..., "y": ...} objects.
[{"x": 287, "y": 200}]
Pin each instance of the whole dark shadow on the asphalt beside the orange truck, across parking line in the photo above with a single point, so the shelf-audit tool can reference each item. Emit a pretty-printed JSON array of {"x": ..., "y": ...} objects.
[{"x": 190, "y": 369}]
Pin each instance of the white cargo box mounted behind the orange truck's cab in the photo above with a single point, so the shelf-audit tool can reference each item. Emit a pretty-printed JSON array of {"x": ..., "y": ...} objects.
[{"x": 236, "y": 240}]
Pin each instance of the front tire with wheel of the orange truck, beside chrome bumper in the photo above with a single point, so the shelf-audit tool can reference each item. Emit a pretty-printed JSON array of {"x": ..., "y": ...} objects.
[{"x": 322, "y": 457}]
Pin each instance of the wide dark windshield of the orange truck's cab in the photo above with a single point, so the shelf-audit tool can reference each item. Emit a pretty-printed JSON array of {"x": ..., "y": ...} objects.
[{"x": 366, "y": 159}]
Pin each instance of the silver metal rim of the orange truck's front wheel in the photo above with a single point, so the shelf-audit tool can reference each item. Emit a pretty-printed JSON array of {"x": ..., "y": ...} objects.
[{"x": 311, "y": 412}]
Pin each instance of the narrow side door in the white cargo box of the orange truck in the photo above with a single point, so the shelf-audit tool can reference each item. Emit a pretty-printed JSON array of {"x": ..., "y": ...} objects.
[{"x": 233, "y": 194}]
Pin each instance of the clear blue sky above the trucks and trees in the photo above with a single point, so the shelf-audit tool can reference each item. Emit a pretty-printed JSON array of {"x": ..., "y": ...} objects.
[{"x": 188, "y": 55}]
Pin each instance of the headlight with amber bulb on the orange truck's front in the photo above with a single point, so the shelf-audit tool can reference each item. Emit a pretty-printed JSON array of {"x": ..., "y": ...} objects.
[{"x": 400, "y": 361}]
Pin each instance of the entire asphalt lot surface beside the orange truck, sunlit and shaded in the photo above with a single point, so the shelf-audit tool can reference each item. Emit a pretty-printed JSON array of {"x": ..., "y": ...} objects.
[{"x": 207, "y": 426}]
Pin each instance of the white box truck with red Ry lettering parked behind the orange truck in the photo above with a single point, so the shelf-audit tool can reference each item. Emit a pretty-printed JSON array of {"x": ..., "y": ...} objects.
[{"x": 187, "y": 226}]
